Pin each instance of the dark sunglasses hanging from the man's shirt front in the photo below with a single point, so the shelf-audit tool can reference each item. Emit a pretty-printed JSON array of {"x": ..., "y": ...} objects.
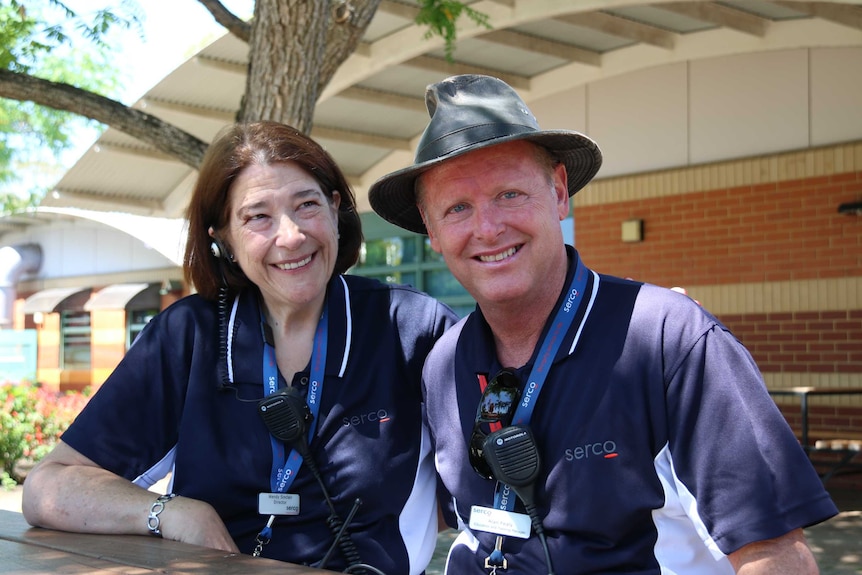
[{"x": 496, "y": 409}]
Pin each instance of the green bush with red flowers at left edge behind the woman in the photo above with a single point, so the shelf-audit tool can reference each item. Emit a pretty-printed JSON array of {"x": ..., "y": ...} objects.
[{"x": 31, "y": 422}]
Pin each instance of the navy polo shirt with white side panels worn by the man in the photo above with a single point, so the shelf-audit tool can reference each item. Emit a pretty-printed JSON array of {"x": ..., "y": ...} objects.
[{"x": 660, "y": 447}]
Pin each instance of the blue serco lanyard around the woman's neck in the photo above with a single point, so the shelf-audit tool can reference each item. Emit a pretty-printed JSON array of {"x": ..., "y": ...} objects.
[{"x": 284, "y": 470}]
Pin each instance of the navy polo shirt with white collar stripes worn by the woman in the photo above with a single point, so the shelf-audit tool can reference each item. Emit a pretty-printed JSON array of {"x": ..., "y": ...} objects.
[{"x": 166, "y": 406}]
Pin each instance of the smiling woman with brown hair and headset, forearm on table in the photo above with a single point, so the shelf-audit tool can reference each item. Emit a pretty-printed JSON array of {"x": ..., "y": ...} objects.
[{"x": 283, "y": 397}]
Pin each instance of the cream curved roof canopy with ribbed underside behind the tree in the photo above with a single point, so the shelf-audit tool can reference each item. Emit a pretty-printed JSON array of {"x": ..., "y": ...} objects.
[{"x": 372, "y": 113}]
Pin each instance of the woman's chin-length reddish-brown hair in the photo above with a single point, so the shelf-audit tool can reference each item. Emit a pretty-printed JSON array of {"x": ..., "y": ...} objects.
[{"x": 233, "y": 150}]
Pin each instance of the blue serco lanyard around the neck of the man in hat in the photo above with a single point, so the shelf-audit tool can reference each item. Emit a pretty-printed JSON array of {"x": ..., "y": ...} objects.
[{"x": 547, "y": 352}]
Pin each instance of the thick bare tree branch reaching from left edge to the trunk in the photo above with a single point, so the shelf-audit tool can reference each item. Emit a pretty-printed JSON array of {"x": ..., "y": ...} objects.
[{"x": 147, "y": 128}]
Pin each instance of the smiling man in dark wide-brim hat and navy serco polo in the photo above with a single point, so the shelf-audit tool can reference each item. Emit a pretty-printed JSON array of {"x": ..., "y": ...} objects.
[{"x": 635, "y": 430}]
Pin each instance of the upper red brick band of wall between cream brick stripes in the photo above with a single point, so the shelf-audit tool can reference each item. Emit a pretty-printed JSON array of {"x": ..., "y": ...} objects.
[{"x": 756, "y": 233}]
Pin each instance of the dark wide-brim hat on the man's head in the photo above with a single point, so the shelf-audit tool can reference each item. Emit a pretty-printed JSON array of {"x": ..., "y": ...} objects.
[{"x": 471, "y": 112}]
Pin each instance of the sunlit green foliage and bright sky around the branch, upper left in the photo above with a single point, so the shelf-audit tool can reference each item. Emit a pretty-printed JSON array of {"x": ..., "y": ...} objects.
[{"x": 50, "y": 40}]
